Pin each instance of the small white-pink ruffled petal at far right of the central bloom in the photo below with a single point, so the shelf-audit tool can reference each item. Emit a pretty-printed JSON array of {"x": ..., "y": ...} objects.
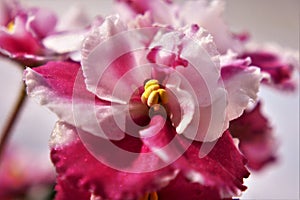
[{"x": 242, "y": 84}]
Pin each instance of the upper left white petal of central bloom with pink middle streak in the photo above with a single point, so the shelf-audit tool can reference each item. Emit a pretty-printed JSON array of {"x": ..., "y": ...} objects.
[{"x": 110, "y": 63}]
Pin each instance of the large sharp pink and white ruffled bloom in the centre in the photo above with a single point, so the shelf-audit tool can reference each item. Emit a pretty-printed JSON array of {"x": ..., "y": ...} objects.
[{"x": 145, "y": 115}]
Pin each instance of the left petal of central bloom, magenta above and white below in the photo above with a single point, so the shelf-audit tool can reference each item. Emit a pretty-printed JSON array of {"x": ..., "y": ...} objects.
[{"x": 60, "y": 86}]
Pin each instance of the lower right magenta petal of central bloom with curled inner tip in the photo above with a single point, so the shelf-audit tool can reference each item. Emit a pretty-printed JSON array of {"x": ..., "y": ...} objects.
[{"x": 222, "y": 170}]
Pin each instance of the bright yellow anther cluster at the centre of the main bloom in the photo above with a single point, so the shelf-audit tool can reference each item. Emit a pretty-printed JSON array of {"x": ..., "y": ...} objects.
[{"x": 154, "y": 93}]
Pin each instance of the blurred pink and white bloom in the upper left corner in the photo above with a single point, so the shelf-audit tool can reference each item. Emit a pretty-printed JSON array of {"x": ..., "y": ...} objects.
[{"x": 27, "y": 34}]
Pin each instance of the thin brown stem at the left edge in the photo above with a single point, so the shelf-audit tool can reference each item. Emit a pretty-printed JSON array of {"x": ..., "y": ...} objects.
[{"x": 6, "y": 133}]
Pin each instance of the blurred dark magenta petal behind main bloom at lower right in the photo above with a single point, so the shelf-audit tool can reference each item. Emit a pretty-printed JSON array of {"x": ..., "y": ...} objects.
[{"x": 256, "y": 137}]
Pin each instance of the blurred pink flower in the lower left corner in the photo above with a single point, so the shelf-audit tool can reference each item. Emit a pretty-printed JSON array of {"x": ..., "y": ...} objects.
[{"x": 25, "y": 176}]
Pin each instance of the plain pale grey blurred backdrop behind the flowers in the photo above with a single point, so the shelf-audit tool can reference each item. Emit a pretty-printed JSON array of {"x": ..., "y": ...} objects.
[{"x": 266, "y": 20}]
